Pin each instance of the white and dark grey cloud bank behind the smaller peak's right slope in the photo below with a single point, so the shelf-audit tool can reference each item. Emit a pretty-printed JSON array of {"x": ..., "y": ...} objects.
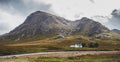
[{"x": 111, "y": 21}]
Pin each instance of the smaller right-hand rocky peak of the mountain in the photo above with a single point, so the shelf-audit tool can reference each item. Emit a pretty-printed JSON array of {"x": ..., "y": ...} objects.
[{"x": 90, "y": 27}]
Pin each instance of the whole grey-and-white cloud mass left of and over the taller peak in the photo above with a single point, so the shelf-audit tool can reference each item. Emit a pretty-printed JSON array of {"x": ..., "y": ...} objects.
[{"x": 14, "y": 12}]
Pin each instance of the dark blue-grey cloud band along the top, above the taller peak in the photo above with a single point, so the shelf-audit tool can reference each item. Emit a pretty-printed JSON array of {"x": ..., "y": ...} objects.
[{"x": 23, "y": 7}]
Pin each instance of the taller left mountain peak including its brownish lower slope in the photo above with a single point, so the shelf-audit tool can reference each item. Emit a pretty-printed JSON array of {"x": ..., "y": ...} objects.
[{"x": 38, "y": 24}]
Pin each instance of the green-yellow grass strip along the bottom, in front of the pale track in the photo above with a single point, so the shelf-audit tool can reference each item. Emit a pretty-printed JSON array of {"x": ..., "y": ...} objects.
[{"x": 84, "y": 58}]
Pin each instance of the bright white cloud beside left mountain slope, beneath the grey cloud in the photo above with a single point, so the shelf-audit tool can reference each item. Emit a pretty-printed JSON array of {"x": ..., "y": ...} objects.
[{"x": 9, "y": 21}]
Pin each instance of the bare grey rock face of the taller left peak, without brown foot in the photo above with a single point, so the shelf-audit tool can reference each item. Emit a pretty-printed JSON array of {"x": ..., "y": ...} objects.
[{"x": 41, "y": 23}]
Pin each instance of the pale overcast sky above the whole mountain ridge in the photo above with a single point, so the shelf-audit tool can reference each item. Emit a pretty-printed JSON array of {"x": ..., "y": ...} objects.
[{"x": 14, "y": 12}]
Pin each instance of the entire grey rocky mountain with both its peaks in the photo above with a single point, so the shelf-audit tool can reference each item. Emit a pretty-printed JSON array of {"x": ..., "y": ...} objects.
[{"x": 40, "y": 24}]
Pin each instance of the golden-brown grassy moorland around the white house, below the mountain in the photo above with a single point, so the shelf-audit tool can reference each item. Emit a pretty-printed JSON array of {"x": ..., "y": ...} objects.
[{"x": 52, "y": 44}]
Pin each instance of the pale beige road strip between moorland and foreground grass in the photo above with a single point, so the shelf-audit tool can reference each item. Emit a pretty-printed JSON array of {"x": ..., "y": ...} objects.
[{"x": 62, "y": 54}]
